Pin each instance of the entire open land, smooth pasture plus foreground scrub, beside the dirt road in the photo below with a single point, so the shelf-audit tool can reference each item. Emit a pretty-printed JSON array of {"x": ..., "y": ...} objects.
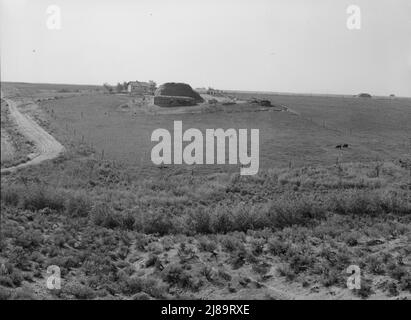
[{"x": 125, "y": 229}]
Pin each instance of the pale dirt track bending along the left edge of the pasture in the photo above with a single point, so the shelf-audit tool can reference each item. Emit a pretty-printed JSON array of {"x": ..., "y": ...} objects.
[{"x": 46, "y": 146}]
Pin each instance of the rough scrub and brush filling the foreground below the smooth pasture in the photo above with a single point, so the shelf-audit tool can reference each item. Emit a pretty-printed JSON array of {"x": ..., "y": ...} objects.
[{"x": 119, "y": 231}]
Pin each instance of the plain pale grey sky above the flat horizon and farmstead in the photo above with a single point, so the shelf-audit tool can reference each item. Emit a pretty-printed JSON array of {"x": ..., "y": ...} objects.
[{"x": 283, "y": 45}]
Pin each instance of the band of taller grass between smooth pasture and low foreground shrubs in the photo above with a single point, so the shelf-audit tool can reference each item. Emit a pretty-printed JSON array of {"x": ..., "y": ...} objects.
[{"x": 191, "y": 205}]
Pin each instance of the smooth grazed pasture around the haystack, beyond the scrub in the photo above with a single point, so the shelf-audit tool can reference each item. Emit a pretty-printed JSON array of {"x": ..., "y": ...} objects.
[{"x": 373, "y": 128}]
